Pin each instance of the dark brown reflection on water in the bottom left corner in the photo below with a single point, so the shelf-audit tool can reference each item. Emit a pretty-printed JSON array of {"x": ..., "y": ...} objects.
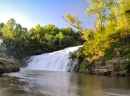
[{"x": 11, "y": 86}]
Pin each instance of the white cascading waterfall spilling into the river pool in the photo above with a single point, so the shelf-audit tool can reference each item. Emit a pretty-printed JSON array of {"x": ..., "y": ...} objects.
[{"x": 55, "y": 61}]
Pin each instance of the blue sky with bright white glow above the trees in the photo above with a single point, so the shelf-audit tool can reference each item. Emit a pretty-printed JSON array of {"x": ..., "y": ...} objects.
[{"x": 29, "y": 13}]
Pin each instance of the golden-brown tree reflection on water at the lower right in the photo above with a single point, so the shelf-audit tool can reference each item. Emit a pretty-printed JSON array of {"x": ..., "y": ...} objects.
[{"x": 104, "y": 86}]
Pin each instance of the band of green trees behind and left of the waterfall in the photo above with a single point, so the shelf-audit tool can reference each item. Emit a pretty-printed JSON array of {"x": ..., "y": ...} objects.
[{"x": 21, "y": 42}]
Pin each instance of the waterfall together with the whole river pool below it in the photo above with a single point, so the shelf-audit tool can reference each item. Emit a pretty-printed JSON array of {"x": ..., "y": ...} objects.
[{"x": 50, "y": 78}]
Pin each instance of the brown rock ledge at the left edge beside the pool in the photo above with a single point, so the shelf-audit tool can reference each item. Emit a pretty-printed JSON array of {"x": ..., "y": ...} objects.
[{"x": 8, "y": 65}]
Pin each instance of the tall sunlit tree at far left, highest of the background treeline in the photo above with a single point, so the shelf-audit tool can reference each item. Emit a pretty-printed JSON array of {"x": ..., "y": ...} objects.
[{"x": 12, "y": 34}]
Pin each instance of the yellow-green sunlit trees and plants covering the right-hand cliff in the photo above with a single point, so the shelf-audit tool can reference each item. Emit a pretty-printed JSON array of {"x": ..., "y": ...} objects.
[{"x": 109, "y": 39}]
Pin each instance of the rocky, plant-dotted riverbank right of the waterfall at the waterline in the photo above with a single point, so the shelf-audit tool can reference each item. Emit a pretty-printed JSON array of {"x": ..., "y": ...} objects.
[{"x": 117, "y": 66}]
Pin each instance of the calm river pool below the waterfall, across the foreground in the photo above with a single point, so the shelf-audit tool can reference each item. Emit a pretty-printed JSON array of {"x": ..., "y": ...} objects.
[{"x": 54, "y": 83}]
